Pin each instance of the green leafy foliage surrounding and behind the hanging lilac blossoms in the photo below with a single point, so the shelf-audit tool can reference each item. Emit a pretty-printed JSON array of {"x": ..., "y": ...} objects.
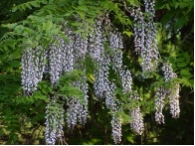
[{"x": 36, "y": 22}]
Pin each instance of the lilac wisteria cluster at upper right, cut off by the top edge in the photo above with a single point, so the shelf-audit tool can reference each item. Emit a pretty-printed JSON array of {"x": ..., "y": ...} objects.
[{"x": 145, "y": 36}]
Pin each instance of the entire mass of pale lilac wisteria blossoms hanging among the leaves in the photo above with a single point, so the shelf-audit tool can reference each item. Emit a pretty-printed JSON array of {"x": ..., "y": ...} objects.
[{"x": 67, "y": 56}]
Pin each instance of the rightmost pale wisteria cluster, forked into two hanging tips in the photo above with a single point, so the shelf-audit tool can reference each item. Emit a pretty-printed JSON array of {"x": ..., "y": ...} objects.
[{"x": 172, "y": 93}]
